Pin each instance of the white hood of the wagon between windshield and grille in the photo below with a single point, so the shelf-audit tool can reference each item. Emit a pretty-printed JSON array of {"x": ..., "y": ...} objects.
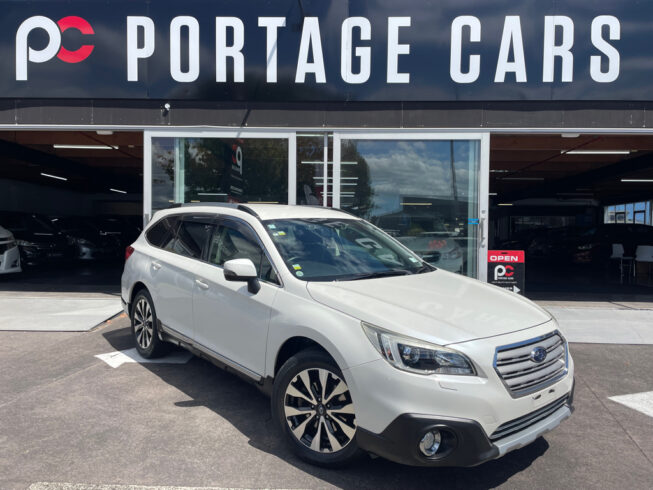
[{"x": 440, "y": 307}]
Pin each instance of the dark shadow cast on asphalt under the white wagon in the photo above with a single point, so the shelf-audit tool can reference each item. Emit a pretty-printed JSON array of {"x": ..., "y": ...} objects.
[{"x": 248, "y": 410}]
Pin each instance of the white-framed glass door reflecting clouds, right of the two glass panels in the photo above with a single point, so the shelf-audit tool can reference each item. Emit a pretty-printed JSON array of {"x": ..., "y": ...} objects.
[{"x": 428, "y": 190}]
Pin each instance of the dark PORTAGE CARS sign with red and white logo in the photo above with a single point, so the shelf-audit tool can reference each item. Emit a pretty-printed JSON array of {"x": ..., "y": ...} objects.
[{"x": 339, "y": 50}]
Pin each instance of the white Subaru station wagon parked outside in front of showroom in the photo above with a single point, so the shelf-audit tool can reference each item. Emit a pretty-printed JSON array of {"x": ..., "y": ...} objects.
[{"x": 361, "y": 344}]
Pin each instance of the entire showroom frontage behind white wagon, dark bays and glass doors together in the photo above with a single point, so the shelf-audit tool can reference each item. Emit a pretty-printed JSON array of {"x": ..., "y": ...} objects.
[{"x": 578, "y": 204}]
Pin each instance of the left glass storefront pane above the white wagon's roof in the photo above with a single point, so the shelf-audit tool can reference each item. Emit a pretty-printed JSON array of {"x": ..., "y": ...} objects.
[{"x": 219, "y": 170}]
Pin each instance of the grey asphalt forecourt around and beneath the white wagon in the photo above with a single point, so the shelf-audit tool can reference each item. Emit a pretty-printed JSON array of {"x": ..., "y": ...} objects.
[{"x": 71, "y": 421}]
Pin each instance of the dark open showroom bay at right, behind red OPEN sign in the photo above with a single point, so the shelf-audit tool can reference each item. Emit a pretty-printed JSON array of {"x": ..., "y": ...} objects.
[{"x": 580, "y": 206}]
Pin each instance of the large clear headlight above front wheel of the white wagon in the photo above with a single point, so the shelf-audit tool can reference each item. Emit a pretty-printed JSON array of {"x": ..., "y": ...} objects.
[{"x": 417, "y": 356}]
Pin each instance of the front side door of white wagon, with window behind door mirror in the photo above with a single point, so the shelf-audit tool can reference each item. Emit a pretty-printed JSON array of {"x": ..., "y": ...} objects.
[{"x": 229, "y": 320}]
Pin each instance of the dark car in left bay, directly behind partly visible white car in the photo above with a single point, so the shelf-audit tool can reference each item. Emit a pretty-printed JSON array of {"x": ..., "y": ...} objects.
[{"x": 38, "y": 240}]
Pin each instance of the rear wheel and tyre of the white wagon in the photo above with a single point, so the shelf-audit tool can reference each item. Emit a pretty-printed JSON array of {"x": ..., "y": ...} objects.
[{"x": 144, "y": 327}]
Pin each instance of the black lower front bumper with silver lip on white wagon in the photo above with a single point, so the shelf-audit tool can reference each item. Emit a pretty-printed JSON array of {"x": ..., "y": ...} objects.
[{"x": 464, "y": 442}]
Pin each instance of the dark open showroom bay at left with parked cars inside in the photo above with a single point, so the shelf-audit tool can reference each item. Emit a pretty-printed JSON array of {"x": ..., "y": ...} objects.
[{"x": 73, "y": 201}]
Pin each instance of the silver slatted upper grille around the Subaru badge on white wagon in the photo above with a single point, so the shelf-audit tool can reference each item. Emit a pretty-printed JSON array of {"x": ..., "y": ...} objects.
[{"x": 523, "y": 375}]
